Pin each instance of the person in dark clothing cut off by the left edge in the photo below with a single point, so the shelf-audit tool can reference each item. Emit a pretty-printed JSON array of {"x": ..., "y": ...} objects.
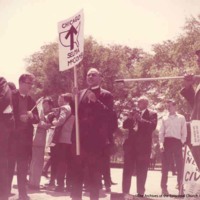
[{"x": 6, "y": 128}]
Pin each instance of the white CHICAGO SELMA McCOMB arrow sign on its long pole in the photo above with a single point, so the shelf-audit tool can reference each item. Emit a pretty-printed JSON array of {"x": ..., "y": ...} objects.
[{"x": 71, "y": 43}]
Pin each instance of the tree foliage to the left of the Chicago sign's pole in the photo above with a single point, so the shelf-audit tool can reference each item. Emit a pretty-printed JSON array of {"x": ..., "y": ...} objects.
[{"x": 44, "y": 65}]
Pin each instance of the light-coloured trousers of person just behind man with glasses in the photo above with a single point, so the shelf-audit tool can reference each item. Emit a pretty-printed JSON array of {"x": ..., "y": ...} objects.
[{"x": 36, "y": 166}]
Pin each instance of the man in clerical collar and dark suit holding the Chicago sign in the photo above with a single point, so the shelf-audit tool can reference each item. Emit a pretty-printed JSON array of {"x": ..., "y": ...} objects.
[{"x": 95, "y": 109}]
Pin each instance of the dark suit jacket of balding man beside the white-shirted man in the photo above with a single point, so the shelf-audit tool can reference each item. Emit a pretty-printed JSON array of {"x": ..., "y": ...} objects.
[{"x": 141, "y": 139}]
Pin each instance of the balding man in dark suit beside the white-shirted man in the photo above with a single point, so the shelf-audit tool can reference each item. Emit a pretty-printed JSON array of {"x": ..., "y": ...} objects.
[{"x": 137, "y": 148}]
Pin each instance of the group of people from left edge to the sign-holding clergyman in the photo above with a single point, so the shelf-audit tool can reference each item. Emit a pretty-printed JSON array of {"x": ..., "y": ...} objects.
[{"x": 24, "y": 146}]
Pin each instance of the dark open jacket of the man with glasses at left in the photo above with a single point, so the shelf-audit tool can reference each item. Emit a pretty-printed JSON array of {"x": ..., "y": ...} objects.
[{"x": 24, "y": 136}]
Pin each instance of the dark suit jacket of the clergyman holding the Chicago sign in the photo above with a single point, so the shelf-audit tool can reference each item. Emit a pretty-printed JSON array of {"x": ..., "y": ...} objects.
[{"x": 94, "y": 120}]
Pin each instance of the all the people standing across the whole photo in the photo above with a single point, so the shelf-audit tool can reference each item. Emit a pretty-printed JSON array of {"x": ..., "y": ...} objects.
[{"x": 23, "y": 147}]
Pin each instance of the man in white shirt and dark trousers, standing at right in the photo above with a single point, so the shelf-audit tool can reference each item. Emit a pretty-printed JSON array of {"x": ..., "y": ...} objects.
[{"x": 172, "y": 136}]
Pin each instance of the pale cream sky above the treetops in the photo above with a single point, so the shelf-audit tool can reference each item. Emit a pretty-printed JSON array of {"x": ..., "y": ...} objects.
[{"x": 26, "y": 25}]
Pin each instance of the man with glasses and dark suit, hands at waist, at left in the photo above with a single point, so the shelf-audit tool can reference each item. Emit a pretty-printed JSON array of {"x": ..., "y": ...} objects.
[{"x": 23, "y": 135}]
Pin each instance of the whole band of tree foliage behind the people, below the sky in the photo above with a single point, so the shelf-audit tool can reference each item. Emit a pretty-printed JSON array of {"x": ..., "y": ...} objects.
[{"x": 170, "y": 58}]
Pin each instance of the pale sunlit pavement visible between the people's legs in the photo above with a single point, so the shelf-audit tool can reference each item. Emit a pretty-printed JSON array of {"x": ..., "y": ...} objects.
[{"x": 153, "y": 190}]
